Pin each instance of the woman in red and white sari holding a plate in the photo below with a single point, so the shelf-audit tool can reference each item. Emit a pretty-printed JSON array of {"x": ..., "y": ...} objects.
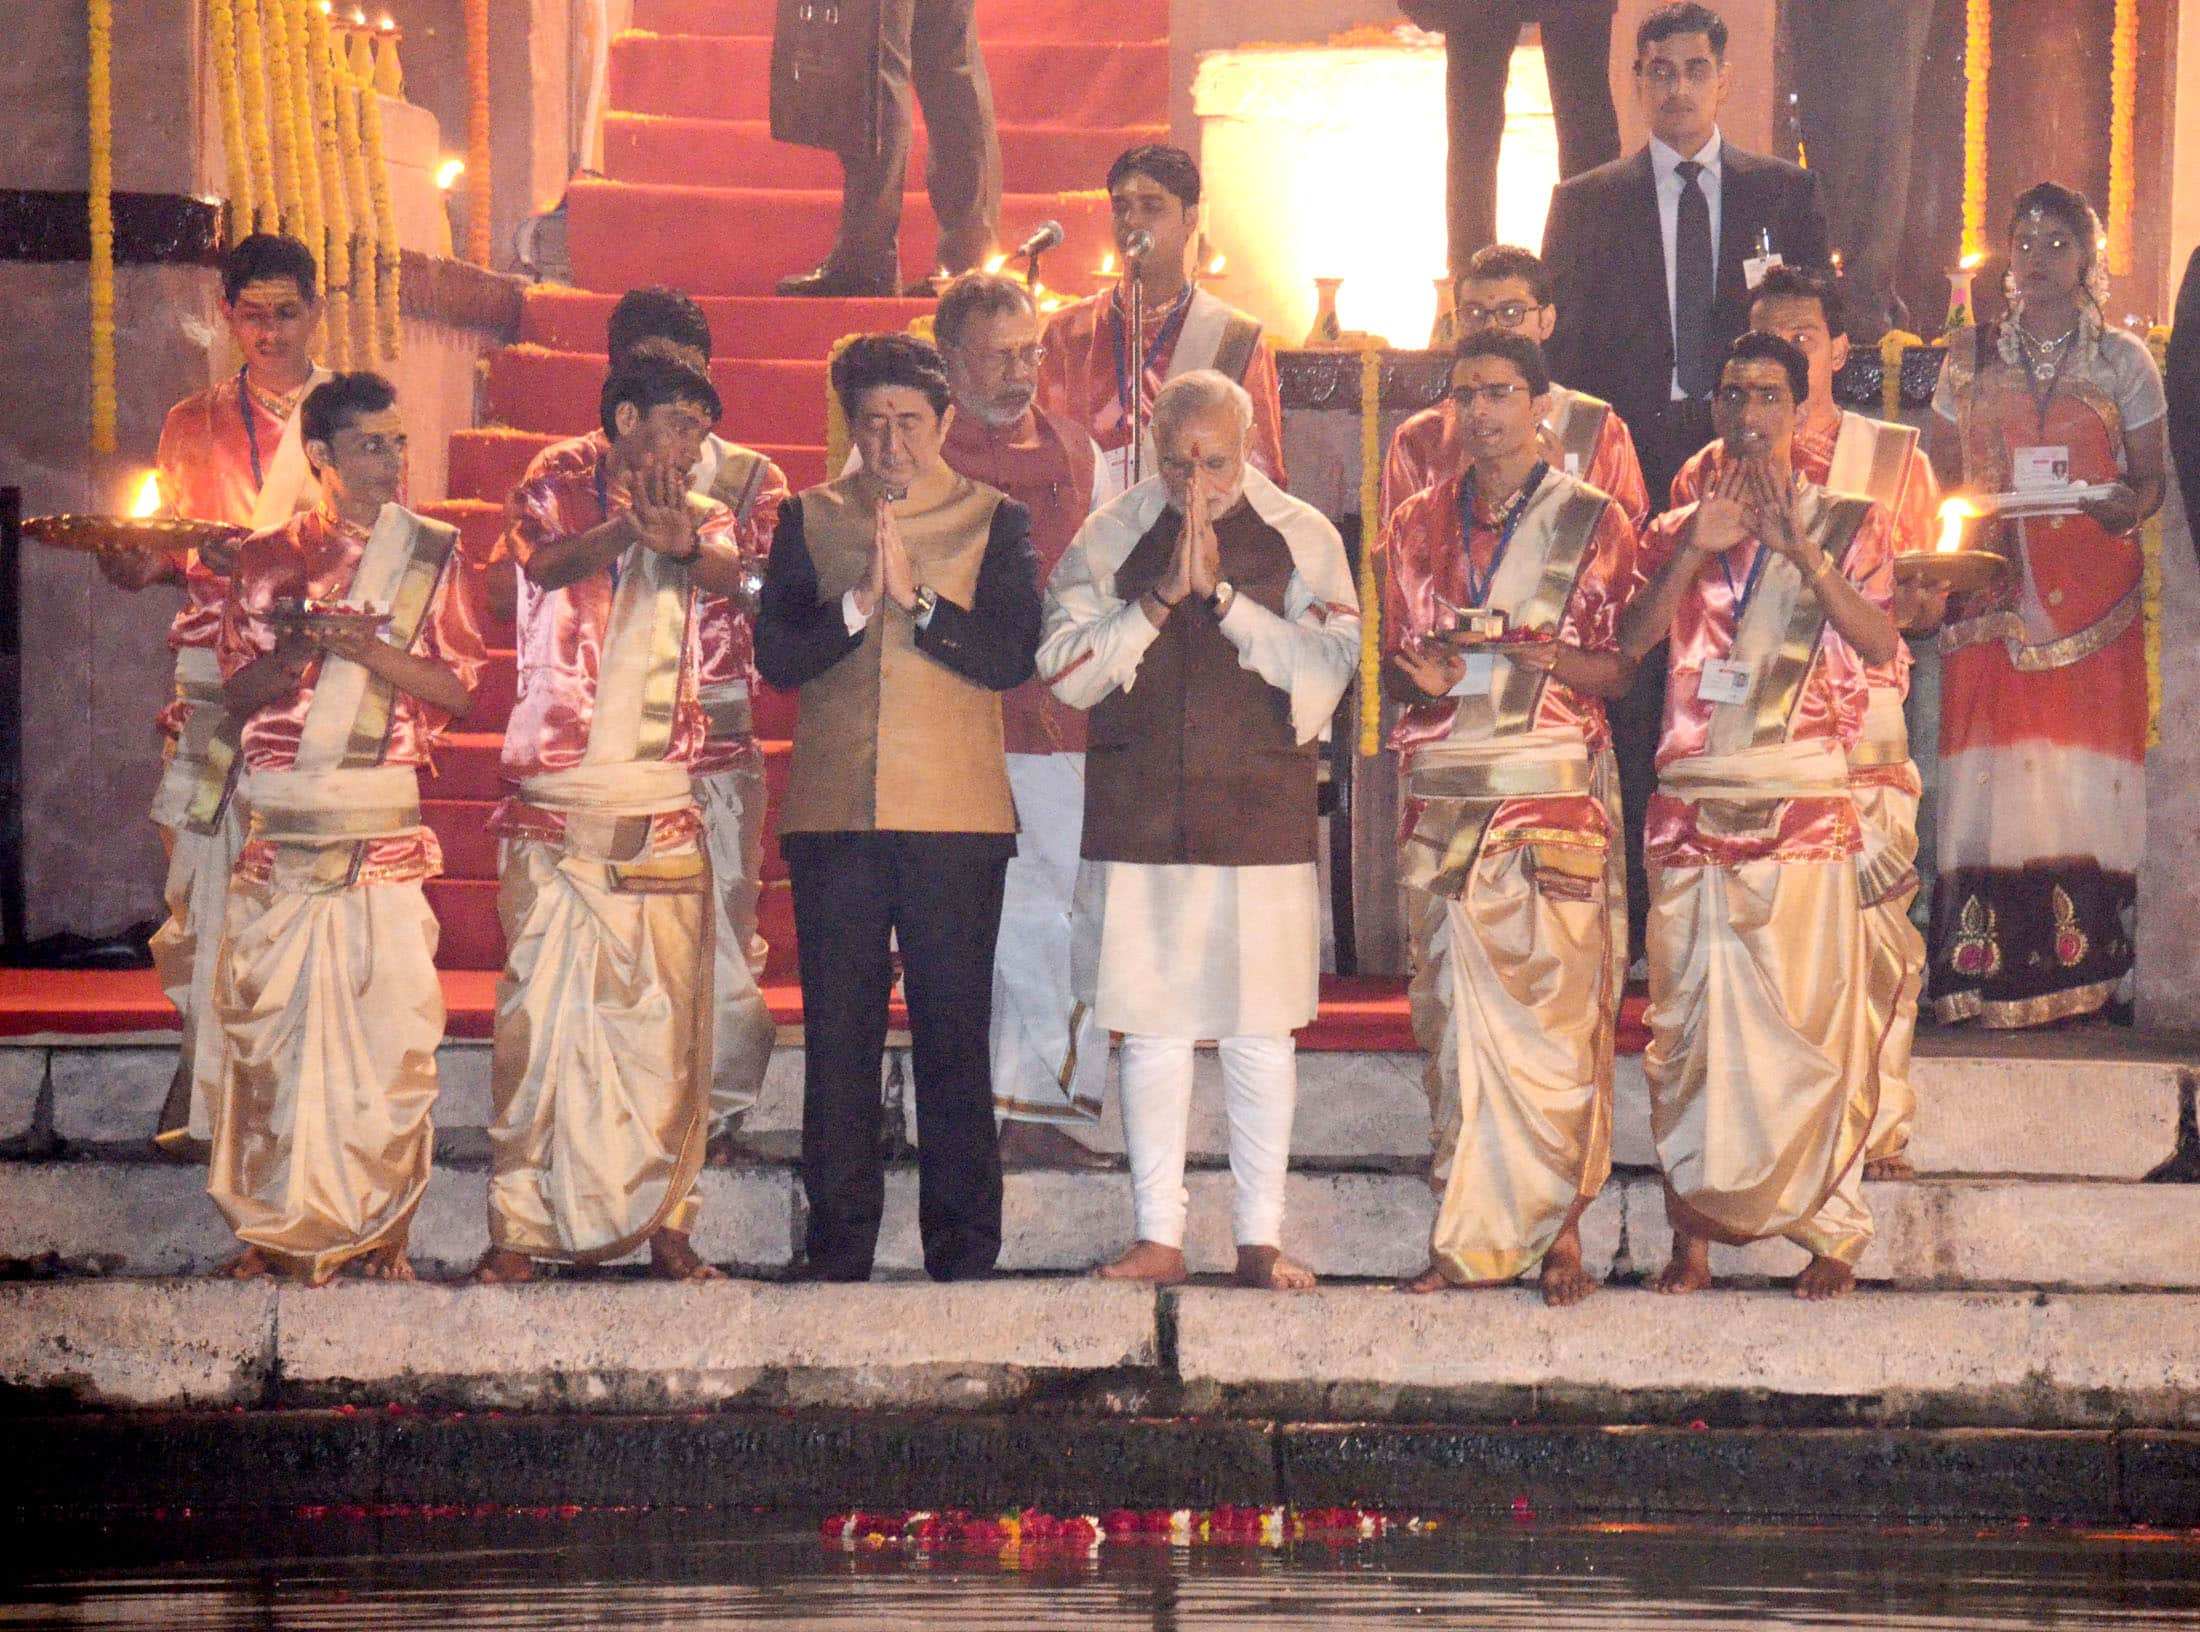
[{"x": 2045, "y": 683}]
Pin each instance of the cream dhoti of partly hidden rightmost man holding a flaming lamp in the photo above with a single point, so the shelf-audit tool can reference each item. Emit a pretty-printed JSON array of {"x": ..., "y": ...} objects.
[{"x": 1886, "y": 791}]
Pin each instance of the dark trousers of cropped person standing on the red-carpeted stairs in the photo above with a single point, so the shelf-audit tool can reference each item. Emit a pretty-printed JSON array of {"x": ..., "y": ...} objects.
[{"x": 932, "y": 52}]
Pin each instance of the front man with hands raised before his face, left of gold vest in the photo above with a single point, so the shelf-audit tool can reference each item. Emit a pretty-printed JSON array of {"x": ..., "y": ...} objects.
[{"x": 604, "y": 1011}]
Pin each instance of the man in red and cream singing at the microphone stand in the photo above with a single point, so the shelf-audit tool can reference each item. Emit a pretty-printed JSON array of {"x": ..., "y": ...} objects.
[{"x": 1088, "y": 373}]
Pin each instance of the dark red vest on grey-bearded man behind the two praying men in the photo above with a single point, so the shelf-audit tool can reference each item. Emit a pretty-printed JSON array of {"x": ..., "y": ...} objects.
[{"x": 1046, "y": 465}]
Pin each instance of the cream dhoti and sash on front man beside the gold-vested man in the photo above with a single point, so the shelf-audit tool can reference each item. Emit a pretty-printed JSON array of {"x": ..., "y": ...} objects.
[{"x": 604, "y": 1017}]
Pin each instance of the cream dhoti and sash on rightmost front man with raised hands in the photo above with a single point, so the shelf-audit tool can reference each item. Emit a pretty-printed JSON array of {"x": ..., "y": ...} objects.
[{"x": 1763, "y": 1055}]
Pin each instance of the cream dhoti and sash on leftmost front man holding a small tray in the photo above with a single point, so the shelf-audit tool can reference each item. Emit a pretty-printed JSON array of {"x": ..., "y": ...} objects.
[{"x": 331, "y": 1013}]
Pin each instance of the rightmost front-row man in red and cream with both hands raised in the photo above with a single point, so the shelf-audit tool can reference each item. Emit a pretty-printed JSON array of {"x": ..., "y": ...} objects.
[{"x": 1763, "y": 1033}]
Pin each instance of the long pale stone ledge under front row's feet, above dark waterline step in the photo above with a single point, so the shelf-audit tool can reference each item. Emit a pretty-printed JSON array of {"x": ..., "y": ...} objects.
[{"x": 1356, "y": 1354}]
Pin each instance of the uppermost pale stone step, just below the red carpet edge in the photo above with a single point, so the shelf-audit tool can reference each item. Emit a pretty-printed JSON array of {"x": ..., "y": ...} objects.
[{"x": 1979, "y": 1114}]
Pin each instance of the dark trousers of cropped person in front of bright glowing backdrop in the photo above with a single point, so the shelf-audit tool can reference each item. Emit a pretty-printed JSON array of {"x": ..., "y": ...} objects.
[{"x": 1477, "y": 54}]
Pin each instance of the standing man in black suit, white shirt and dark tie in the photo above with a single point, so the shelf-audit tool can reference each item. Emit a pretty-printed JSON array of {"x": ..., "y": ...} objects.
[{"x": 1653, "y": 258}]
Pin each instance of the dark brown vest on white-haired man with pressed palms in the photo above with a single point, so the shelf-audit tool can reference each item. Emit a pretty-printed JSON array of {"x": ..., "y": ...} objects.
[{"x": 1198, "y": 760}]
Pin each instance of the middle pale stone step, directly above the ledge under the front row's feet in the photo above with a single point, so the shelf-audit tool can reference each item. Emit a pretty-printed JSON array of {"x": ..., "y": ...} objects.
[{"x": 153, "y": 1220}]
